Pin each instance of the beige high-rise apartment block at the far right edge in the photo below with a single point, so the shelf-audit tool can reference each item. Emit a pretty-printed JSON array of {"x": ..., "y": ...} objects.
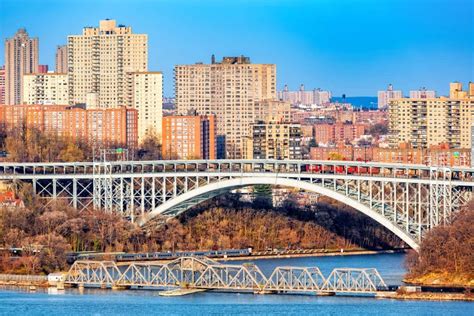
[{"x": 428, "y": 122}]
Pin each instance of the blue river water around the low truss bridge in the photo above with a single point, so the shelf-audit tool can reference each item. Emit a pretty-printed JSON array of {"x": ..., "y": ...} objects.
[{"x": 107, "y": 302}]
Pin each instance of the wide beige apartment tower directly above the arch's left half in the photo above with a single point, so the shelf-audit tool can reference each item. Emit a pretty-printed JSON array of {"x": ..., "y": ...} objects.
[{"x": 229, "y": 89}]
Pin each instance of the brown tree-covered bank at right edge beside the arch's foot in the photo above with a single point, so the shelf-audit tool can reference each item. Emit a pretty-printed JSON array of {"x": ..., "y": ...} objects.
[{"x": 446, "y": 253}]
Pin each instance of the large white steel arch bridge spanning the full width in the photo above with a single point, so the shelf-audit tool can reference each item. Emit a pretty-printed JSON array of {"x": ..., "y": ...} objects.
[{"x": 409, "y": 200}]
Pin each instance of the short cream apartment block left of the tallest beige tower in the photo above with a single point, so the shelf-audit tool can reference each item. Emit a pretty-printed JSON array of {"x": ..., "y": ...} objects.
[{"x": 45, "y": 88}]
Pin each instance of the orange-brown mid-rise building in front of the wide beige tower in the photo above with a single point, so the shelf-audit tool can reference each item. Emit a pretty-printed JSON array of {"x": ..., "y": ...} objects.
[{"x": 189, "y": 137}]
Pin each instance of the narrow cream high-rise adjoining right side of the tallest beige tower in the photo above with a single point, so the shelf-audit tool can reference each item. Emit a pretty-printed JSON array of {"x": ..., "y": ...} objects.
[{"x": 145, "y": 94}]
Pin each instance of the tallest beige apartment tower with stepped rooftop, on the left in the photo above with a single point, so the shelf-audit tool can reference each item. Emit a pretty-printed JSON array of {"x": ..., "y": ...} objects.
[{"x": 100, "y": 58}]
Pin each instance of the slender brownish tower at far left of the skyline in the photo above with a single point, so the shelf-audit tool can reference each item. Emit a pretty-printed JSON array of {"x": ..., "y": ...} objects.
[{"x": 21, "y": 57}]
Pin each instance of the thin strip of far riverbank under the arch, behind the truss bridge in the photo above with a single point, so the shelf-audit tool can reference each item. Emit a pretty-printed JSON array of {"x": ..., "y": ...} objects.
[{"x": 326, "y": 253}]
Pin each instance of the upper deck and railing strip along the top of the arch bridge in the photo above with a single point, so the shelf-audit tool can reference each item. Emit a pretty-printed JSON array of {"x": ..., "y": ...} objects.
[{"x": 244, "y": 166}]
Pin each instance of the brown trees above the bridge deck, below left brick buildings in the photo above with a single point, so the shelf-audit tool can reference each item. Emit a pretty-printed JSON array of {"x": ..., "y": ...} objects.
[{"x": 30, "y": 144}]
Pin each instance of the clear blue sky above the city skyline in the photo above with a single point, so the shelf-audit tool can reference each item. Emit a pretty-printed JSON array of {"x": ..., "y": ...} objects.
[{"x": 355, "y": 47}]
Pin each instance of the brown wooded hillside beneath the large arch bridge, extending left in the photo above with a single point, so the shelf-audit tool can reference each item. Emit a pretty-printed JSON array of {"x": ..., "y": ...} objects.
[{"x": 47, "y": 233}]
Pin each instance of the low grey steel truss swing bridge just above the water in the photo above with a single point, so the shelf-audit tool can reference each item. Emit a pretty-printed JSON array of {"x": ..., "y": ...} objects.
[{"x": 206, "y": 274}]
